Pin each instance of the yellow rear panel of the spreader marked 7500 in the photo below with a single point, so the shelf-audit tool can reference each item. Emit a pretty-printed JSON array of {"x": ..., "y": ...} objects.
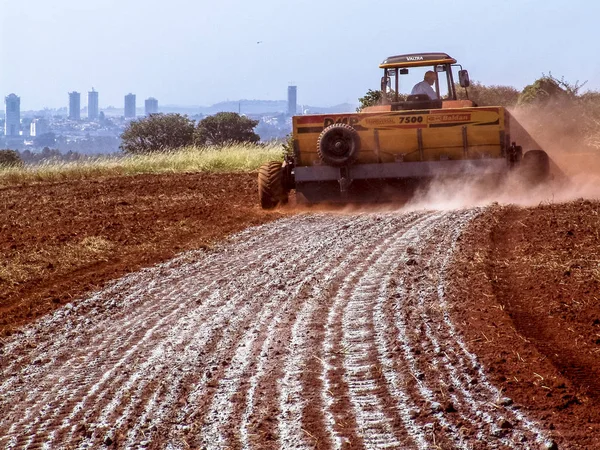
[{"x": 410, "y": 136}]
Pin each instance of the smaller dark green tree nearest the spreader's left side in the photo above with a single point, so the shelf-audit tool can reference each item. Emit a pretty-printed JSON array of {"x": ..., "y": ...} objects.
[{"x": 224, "y": 128}]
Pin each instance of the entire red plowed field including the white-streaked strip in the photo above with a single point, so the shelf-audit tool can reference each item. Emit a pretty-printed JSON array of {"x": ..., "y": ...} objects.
[{"x": 473, "y": 328}]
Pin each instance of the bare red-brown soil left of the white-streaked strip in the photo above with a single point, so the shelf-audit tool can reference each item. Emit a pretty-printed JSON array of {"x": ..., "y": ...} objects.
[{"x": 59, "y": 240}]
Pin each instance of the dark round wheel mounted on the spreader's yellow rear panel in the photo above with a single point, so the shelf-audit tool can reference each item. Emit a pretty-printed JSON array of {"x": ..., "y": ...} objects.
[{"x": 338, "y": 145}]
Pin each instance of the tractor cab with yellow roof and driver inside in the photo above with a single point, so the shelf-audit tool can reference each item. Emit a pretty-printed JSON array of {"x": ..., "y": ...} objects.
[{"x": 402, "y": 73}]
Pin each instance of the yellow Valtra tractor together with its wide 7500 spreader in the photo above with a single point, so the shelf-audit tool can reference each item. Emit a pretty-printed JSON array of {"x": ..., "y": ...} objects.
[{"x": 424, "y": 134}]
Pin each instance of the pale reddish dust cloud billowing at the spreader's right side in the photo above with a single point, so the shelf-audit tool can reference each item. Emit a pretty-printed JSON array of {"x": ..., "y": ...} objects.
[{"x": 574, "y": 168}]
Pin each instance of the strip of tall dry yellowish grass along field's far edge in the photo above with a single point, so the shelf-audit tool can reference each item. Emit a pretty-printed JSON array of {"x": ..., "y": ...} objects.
[{"x": 234, "y": 158}]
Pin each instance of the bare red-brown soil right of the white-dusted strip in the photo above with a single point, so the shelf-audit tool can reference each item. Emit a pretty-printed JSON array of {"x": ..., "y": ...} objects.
[{"x": 526, "y": 297}]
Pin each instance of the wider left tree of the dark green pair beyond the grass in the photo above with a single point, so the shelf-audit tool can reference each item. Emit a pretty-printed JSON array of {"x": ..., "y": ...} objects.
[{"x": 158, "y": 132}]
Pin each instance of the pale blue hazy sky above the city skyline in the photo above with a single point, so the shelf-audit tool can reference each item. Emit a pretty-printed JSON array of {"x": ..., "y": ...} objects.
[{"x": 201, "y": 52}]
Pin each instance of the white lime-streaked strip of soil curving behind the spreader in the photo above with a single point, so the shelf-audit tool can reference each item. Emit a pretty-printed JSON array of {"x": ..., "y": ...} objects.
[{"x": 326, "y": 331}]
